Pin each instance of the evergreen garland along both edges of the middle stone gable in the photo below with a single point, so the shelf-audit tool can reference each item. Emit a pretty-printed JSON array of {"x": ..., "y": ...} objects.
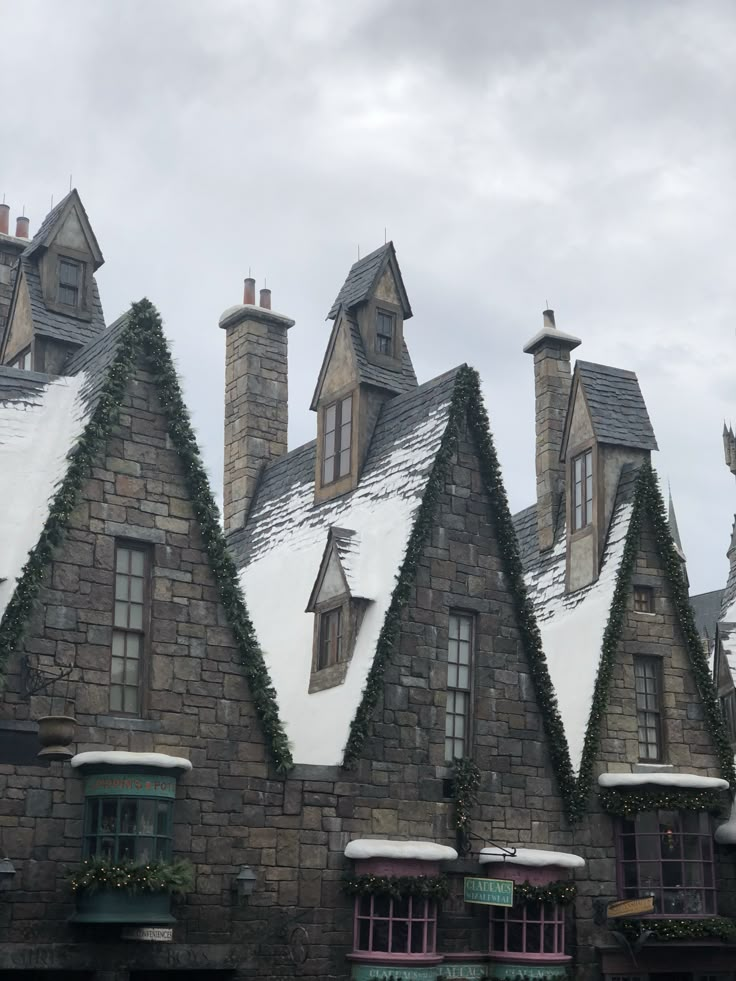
[{"x": 467, "y": 402}]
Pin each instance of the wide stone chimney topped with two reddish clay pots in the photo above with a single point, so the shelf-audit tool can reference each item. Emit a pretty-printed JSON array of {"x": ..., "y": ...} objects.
[{"x": 256, "y": 398}]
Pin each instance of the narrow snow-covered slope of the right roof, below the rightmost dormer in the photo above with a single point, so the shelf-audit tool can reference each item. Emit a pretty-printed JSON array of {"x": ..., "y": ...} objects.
[{"x": 572, "y": 624}]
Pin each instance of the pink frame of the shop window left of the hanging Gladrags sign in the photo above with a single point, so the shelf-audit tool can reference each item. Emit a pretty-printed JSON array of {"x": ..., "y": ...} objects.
[{"x": 428, "y": 920}]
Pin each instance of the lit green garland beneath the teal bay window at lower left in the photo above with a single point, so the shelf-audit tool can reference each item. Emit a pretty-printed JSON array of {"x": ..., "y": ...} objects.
[{"x": 97, "y": 875}]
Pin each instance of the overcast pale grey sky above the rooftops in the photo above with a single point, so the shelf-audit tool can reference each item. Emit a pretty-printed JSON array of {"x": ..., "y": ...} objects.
[{"x": 580, "y": 154}]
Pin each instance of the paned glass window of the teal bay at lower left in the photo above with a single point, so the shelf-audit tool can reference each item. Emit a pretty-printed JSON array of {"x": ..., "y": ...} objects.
[{"x": 120, "y": 829}]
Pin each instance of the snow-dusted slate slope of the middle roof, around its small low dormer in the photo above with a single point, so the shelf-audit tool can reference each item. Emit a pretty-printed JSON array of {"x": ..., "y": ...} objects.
[{"x": 284, "y": 542}]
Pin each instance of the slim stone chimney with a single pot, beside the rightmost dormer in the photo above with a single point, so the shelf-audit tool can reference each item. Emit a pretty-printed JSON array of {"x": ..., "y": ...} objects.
[{"x": 552, "y": 379}]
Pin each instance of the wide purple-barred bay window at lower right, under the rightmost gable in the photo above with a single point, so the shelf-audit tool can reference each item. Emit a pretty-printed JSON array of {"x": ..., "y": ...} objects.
[{"x": 668, "y": 855}]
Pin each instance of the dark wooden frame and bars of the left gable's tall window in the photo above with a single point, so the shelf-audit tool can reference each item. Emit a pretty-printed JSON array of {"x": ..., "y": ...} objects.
[{"x": 142, "y": 632}]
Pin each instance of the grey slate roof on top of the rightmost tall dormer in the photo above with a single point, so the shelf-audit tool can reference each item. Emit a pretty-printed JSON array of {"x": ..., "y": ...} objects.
[{"x": 617, "y": 410}]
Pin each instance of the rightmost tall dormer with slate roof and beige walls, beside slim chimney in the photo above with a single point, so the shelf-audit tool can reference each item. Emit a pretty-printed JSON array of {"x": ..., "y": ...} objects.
[{"x": 607, "y": 427}]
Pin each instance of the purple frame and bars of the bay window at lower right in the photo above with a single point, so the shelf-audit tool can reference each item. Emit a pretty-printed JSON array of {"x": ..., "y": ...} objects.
[{"x": 706, "y": 861}]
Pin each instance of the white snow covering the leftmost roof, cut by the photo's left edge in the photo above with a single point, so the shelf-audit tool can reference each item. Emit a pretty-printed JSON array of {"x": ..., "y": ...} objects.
[{"x": 40, "y": 421}]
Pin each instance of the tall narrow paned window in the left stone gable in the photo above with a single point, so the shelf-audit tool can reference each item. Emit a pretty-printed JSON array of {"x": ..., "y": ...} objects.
[{"x": 129, "y": 622}]
